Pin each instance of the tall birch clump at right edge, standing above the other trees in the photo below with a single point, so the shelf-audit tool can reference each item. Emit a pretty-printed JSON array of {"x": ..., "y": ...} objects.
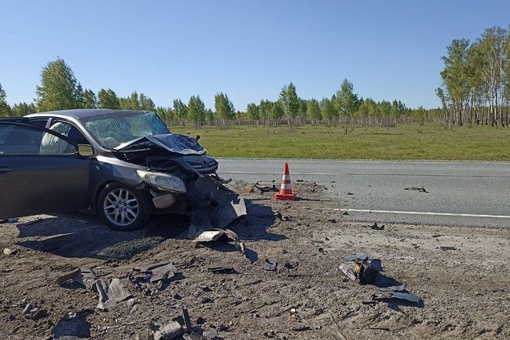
[{"x": 476, "y": 80}]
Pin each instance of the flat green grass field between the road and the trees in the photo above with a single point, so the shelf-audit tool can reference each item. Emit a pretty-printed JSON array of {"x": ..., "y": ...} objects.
[{"x": 403, "y": 142}]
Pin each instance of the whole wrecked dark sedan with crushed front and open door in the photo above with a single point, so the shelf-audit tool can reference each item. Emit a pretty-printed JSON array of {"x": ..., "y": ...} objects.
[{"x": 123, "y": 165}]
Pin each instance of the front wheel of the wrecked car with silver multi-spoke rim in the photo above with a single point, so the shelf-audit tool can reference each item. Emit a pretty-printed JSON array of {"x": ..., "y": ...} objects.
[{"x": 123, "y": 208}]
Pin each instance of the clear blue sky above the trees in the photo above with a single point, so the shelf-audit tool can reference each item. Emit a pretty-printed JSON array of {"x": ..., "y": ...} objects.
[{"x": 248, "y": 49}]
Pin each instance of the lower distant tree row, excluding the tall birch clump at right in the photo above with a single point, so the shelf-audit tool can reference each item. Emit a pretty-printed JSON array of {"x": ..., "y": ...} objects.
[{"x": 59, "y": 89}]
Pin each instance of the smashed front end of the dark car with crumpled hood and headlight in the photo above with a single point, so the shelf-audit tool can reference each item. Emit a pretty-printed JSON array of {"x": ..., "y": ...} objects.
[{"x": 181, "y": 178}]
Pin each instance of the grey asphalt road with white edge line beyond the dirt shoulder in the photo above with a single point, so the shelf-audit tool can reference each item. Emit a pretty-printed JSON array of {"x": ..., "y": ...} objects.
[{"x": 437, "y": 193}]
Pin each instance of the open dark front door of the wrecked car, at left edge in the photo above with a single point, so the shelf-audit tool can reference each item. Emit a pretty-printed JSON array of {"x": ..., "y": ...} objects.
[{"x": 40, "y": 172}]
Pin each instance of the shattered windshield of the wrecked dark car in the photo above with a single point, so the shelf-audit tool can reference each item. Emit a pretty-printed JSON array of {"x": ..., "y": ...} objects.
[{"x": 114, "y": 130}]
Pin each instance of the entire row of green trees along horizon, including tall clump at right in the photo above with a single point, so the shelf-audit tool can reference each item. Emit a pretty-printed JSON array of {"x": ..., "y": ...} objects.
[{"x": 474, "y": 90}]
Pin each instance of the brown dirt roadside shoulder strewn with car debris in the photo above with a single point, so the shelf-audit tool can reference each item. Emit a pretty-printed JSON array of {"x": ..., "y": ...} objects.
[{"x": 460, "y": 274}]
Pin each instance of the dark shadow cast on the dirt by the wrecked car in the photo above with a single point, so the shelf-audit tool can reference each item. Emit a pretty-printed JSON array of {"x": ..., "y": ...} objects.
[{"x": 83, "y": 235}]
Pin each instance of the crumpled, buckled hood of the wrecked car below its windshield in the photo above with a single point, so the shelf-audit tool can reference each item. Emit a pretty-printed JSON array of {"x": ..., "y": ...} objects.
[{"x": 172, "y": 142}]
